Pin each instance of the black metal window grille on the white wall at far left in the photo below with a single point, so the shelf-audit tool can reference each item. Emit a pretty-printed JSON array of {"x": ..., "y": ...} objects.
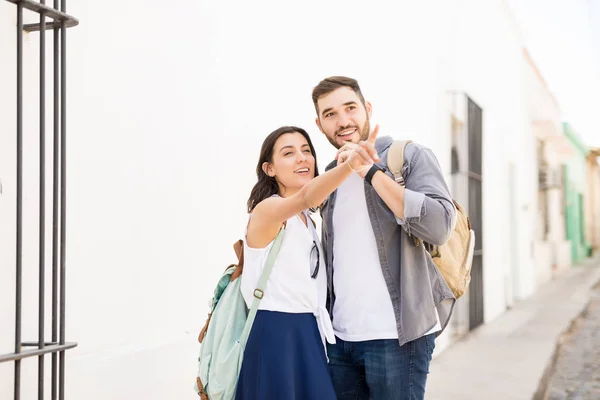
[{"x": 57, "y": 20}]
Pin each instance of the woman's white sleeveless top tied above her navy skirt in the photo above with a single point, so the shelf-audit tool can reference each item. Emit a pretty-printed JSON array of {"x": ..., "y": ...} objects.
[{"x": 290, "y": 288}]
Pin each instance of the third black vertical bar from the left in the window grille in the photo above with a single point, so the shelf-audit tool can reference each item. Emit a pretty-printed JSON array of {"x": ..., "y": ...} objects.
[{"x": 55, "y": 210}]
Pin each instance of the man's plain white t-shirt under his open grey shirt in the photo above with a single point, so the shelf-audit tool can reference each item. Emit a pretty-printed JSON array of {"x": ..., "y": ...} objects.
[{"x": 363, "y": 308}]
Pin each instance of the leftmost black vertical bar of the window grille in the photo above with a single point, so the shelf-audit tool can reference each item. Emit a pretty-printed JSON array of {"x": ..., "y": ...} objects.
[{"x": 19, "y": 272}]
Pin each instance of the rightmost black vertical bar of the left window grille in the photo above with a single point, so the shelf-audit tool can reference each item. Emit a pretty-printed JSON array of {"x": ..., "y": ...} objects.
[{"x": 63, "y": 192}]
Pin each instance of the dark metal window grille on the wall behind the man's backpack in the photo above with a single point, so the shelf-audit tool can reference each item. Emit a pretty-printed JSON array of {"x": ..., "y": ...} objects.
[{"x": 474, "y": 132}]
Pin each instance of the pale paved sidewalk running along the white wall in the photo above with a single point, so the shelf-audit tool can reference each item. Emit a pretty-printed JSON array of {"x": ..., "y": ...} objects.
[{"x": 509, "y": 357}]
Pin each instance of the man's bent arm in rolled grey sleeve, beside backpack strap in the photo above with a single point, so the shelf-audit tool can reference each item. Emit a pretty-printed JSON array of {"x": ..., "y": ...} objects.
[{"x": 424, "y": 208}]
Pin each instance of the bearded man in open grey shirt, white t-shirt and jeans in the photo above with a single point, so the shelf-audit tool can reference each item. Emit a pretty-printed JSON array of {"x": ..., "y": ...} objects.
[{"x": 386, "y": 297}]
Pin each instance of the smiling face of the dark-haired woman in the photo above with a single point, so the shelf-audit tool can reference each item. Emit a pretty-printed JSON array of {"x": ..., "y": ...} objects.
[{"x": 293, "y": 164}]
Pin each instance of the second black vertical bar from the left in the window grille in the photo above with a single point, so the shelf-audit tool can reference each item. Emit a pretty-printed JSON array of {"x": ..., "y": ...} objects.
[{"x": 42, "y": 216}]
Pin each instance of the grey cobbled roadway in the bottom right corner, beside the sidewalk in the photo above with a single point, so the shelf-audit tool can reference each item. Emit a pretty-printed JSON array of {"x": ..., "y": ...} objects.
[{"x": 577, "y": 370}]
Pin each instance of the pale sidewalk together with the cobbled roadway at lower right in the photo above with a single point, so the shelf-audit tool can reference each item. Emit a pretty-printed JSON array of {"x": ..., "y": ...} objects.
[{"x": 514, "y": 352}]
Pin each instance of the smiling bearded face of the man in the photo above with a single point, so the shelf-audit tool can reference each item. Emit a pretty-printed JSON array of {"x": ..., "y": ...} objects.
[{"x": 342, "y": 117}]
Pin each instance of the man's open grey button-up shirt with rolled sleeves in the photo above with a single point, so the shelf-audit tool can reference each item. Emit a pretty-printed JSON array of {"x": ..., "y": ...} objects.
[{"x": 415, "y": 285}]
